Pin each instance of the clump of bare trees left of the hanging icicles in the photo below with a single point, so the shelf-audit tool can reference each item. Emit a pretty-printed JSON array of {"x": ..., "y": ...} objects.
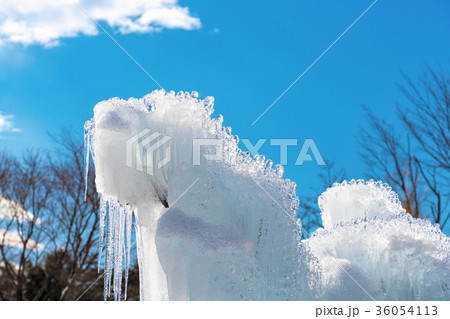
[{"x": 55, "y": 254}]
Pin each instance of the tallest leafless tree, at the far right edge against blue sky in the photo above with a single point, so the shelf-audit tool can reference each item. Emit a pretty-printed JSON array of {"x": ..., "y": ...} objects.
[{"x": 427, "y": 120}]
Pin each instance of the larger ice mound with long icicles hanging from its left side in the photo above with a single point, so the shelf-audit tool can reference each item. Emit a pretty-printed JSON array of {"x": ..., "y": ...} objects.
[{"x": 224, "y": 229}]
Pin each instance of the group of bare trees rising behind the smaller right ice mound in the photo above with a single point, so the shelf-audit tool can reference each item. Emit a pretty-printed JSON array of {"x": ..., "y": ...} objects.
[{"x": 414, "y": 155}]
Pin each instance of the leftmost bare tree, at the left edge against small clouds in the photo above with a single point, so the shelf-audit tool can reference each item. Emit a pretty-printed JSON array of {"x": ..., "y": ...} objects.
[{"x": 25, "y": 189}]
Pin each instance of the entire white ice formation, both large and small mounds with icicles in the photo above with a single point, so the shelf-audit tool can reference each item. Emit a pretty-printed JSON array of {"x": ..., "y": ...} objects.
[{"x": 226, "y": 229}]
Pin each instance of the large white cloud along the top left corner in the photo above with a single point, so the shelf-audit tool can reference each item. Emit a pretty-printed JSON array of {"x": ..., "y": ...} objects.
[{"x": 45, "y": 22}]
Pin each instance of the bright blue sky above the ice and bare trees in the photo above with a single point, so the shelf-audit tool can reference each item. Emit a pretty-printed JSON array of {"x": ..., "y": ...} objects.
[{"x": 245, "y": 54}]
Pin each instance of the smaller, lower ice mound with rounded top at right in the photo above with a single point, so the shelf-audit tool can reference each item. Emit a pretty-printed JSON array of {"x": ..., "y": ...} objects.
[{"x": 386, "y": 253}]
